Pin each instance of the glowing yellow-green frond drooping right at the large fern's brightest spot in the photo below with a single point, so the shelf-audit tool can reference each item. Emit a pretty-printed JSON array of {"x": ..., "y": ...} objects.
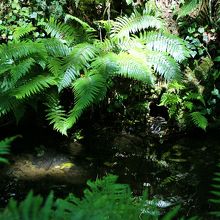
[{"x": 135, "y": 67}]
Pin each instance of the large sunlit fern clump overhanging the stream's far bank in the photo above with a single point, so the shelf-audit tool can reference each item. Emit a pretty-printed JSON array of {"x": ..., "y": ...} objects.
[{"x": 85, "y": 65}]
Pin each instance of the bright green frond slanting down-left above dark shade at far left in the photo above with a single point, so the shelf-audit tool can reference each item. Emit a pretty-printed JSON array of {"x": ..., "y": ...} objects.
[{"x": 33, "y": 86}]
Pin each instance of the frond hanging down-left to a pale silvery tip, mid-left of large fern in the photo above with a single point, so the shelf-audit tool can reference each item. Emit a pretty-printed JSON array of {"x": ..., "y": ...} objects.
[{"x": 79, "y": 59}]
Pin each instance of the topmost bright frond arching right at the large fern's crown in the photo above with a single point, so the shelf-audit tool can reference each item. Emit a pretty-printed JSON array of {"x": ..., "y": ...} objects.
[{"x": 124, "y": 26}]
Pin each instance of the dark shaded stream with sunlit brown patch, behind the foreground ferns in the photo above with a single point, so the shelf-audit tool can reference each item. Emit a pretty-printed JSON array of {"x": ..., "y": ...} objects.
[{"x": 179, "y": 170}]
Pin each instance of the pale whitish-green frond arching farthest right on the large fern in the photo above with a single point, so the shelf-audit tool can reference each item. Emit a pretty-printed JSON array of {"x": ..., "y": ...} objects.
[{"x": 164, "y": 42}]
